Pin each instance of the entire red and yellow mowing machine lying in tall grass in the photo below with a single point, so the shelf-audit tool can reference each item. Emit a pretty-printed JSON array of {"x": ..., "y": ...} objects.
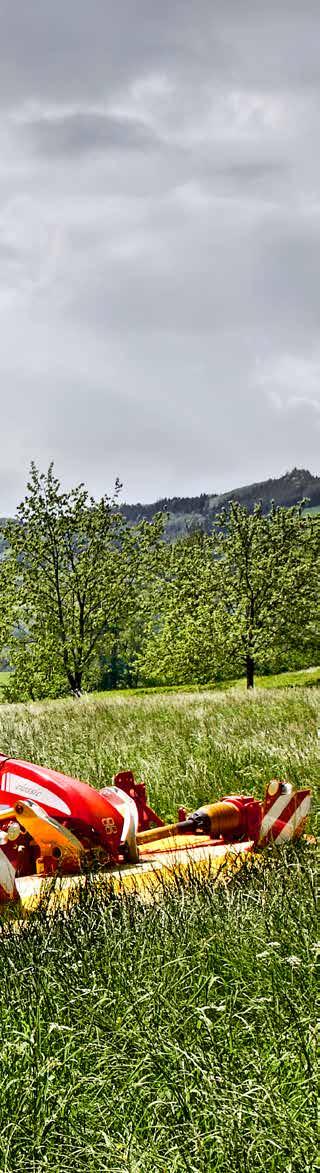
[{"x": 55, "y": 825}]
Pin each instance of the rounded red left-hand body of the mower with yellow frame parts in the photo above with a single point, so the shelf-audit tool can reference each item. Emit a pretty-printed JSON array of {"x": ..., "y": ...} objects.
[{"x": 52, "y": 823}]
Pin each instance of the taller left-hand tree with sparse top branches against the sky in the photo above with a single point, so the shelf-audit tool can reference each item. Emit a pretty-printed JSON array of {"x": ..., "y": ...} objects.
[{"x": 74, "y": 564}]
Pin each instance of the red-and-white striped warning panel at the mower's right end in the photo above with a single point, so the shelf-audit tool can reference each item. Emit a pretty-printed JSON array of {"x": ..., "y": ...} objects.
[{"x": 285, "y": 813}]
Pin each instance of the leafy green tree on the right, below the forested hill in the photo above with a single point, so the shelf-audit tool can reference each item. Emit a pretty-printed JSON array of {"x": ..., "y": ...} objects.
[{"x": 246, "y": 598}]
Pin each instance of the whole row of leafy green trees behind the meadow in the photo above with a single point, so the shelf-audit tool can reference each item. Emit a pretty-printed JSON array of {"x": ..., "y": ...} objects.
[{"x": 88, "y": 600}]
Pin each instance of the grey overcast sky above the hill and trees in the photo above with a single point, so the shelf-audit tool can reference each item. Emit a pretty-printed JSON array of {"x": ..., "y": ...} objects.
[{"x": 160, "y": 229}]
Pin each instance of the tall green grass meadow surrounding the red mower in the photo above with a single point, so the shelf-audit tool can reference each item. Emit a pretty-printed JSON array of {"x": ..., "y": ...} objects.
[{"x": 181, "y": 1035}]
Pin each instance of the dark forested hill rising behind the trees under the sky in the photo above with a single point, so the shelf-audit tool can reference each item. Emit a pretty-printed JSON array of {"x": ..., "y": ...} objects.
[{"x": 186, "y": 513}]
